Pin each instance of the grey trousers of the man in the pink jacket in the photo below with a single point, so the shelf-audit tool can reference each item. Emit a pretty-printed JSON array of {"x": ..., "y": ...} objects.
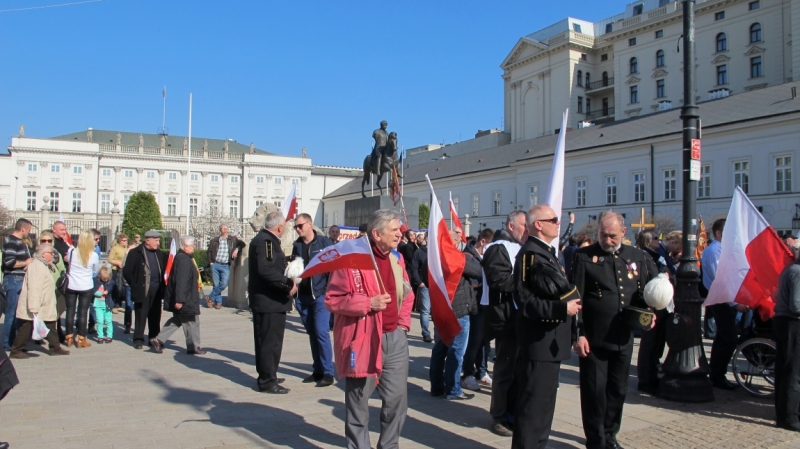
[{"x": 393, "y": 390}]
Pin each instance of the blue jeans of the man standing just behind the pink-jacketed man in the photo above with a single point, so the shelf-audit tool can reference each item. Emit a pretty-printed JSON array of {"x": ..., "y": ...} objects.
[{"x": 316, "y": 319}]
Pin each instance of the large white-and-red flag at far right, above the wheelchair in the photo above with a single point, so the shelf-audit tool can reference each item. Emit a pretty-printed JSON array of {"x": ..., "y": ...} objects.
[{"x": 751, "y": 261}]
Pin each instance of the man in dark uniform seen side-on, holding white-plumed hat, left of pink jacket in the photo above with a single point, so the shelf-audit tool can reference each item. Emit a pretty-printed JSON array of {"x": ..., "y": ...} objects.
[{"x": 270, "y": 294}]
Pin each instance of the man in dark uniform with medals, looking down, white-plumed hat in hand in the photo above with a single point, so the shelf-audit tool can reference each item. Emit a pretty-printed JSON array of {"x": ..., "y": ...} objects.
[{"x": 609, "y": 277}]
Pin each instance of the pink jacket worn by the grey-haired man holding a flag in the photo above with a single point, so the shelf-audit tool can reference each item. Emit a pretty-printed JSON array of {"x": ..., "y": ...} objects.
[{"x": 358, "y": 331}]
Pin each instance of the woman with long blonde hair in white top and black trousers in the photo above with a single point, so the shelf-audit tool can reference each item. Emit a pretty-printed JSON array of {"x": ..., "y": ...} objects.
[{"x": 83, "y": 264}]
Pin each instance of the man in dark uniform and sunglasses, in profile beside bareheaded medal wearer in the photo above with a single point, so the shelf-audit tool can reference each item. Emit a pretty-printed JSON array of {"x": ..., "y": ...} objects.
[{"x": 544, "y": 328}]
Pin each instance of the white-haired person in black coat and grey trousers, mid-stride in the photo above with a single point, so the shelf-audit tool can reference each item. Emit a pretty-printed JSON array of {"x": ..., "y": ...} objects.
[{"x": 182, "y": 298}]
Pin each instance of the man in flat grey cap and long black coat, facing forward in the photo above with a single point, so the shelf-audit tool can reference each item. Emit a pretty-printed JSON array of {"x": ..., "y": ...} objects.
[{"x": 144, "y": 273}]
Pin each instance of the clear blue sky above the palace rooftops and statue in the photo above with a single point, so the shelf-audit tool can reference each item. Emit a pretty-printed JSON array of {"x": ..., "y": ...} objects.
[{"x": 284, "y": 75}]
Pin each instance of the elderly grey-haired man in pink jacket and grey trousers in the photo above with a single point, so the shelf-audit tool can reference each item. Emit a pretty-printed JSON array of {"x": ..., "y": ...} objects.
[{"x": 373, "y": 316}]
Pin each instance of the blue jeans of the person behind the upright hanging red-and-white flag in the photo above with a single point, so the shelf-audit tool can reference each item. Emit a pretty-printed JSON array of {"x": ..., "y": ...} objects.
[{"x": 445, "y": 372}]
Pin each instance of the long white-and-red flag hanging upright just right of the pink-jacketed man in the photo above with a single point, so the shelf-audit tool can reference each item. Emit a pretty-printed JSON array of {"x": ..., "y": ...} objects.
[{"x": 445, "y": 266}]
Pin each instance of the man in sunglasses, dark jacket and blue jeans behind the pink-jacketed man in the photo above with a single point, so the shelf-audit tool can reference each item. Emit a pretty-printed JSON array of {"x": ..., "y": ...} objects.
[{"x": 310, "y": 301}]
